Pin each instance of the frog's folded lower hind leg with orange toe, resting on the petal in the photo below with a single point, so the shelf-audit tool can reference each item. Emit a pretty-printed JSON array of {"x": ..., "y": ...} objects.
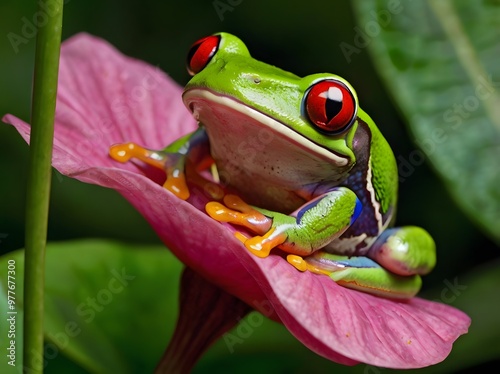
[{"x": 360, "y": 273}]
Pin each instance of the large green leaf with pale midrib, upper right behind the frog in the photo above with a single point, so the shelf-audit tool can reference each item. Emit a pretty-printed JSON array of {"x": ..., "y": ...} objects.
[{"x": 439, "y": 59}]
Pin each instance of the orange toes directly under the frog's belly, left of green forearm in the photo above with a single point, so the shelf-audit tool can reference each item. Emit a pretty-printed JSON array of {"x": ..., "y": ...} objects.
[{"x": 240, "y": 213}]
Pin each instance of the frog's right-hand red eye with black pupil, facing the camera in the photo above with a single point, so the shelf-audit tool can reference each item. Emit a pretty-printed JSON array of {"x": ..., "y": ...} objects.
[{"x": 330, "y": 106}]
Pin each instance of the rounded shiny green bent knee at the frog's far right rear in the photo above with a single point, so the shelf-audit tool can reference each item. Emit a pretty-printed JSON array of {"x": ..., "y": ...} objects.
[{"x": 405, "y": 250}]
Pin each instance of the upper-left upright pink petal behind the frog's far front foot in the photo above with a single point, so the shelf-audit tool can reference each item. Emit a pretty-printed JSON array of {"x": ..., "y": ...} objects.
[{"x": 105, "y": 98}]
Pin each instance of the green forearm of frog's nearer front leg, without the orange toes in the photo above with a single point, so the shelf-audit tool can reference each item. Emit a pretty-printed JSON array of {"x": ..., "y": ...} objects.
[{"x": 320, "y": 221}]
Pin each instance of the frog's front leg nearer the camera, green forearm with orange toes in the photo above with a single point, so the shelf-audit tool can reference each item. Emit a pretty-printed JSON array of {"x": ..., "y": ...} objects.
[{"x": 309, "y": 228}]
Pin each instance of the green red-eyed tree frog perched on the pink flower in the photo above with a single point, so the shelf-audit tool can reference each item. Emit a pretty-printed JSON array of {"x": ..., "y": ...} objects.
[{"x": 299, "y": 164}]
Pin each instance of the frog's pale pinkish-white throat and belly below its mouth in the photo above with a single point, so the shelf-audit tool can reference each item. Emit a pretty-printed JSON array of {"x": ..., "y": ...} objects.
[{"x": 265, "y": 168}]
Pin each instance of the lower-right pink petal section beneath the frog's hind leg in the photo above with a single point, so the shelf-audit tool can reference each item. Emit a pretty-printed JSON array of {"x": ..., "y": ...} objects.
[{"x": 363, "y": 327}]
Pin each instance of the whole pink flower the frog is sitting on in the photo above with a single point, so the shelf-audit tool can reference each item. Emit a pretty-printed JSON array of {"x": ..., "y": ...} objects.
[{"x": 106, "y": 98}]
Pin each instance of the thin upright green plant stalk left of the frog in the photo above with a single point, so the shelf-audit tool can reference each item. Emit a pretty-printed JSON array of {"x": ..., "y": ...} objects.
[{"x": 48, "y": 45}]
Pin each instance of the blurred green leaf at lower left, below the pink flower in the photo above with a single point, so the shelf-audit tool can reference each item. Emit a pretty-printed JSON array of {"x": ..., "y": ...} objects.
[{"x": 110, "y": 307}]
